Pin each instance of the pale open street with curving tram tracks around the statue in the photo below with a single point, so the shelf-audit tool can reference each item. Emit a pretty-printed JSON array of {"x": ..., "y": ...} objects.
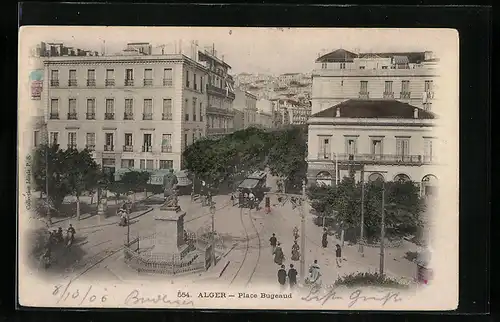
[{"x": 246, "y": 236}]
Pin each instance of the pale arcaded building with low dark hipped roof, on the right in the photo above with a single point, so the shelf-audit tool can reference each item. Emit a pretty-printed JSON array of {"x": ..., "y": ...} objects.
[{"x": 378, "y": 139}]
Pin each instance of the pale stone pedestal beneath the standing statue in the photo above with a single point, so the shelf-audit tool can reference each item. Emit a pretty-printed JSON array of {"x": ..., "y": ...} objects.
[{"x": 169, "y": 237}]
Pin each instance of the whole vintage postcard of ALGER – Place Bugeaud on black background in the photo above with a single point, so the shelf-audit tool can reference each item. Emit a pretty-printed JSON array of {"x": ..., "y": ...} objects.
[{"x": 238, "y": 168}]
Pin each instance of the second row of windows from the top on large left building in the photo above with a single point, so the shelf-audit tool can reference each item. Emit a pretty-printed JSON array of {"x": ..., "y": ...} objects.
[{"x": 110, "y": 111}]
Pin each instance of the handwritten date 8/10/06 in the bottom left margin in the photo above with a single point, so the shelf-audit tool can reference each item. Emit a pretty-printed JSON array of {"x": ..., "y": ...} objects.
[{"x": 79, "y": 296}]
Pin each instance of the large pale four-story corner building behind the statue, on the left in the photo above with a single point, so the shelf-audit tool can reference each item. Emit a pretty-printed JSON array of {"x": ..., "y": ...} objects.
[{"x": 131, "y": 111}]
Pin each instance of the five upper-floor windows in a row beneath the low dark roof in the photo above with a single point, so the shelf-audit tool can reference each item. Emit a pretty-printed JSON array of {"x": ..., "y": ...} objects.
[{"x": 376, "y": 146}]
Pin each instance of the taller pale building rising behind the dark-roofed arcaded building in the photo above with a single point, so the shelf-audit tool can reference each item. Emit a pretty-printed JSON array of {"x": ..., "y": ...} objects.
[{"x": 408, "y": 77}]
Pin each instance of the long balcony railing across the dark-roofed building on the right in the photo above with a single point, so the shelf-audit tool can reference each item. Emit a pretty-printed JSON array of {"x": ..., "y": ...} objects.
[{"x": 377, "y": 158}]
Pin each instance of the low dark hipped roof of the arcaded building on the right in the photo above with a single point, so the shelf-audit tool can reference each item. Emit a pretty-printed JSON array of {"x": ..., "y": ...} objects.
[{"x": 356, "y": 108}]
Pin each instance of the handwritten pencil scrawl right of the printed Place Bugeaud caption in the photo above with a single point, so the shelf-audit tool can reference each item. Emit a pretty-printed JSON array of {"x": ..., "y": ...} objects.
[{"x": 354, "y": 297}]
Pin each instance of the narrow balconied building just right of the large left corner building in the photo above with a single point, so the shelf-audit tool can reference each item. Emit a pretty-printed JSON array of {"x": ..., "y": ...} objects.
[{"x": 220, "y": 112}]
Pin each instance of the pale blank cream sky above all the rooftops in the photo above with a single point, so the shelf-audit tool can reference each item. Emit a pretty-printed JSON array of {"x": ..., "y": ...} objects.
[{"x": 254, "y": 50}]
